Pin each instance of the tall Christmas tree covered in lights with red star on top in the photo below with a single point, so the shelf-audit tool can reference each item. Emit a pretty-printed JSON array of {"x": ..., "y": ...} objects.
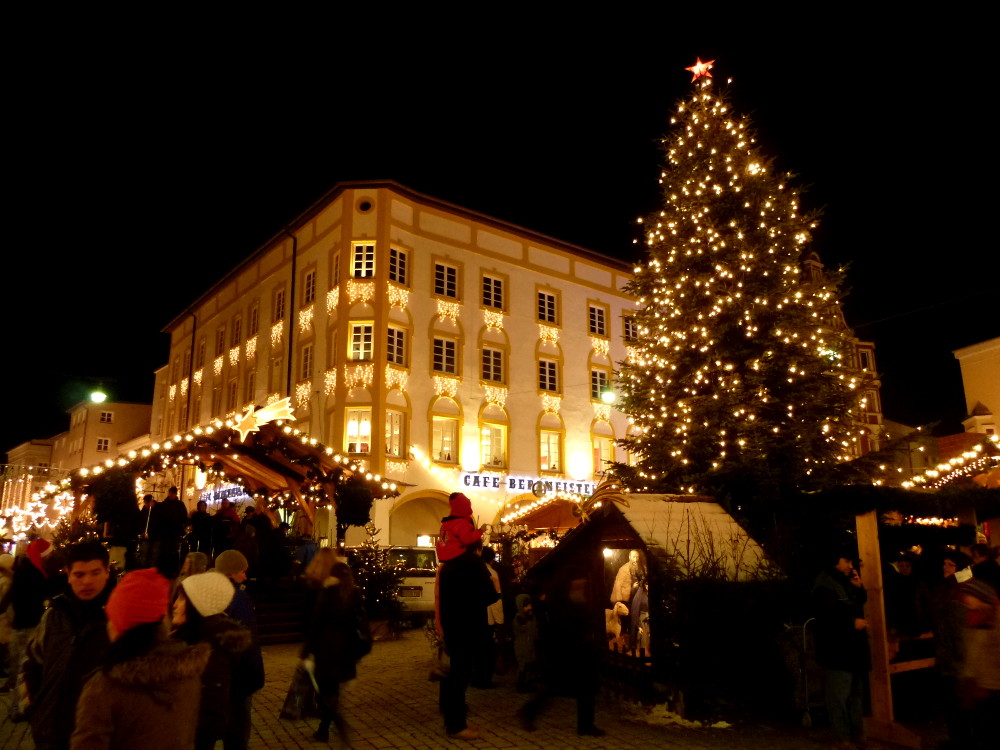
[{"x": 739, "y": 381}]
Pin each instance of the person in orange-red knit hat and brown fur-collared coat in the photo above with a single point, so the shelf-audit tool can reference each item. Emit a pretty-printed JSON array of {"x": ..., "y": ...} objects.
[{"x": 146, "y": 693}]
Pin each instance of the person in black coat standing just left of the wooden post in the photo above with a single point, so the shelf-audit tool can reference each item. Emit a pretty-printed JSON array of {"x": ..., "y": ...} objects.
[{"x": 842, "y": 645}]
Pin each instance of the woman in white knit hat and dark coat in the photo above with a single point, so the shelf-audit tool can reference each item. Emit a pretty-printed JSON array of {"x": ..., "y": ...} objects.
[{"x": 199, "y": 617}]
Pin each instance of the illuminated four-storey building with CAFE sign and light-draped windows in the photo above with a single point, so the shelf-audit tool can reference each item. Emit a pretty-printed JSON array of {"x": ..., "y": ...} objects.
[{"x": 441, "y": 348}]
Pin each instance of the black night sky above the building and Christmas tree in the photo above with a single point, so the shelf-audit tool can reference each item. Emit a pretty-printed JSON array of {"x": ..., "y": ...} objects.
[{"x": 143, "y": 165}]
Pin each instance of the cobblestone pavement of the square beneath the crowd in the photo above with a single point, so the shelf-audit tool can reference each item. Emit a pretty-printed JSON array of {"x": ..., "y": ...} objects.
[{"x": 393, "y": 704}]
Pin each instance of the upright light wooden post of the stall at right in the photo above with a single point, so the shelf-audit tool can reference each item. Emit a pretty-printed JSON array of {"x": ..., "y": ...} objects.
[{"x": 881, "y": 725}]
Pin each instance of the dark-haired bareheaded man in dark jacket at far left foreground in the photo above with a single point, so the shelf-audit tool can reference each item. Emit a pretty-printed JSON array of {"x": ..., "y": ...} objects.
[{"x": 69, "y": 643}]
